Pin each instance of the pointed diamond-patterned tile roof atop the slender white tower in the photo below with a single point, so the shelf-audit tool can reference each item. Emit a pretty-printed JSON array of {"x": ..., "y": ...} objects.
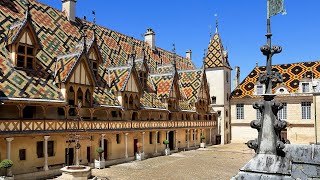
[{"x": 215, "y": 55}]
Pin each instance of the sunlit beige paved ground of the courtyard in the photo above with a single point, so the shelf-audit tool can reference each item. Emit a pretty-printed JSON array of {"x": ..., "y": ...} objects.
[{"x": 219, "y": 162}]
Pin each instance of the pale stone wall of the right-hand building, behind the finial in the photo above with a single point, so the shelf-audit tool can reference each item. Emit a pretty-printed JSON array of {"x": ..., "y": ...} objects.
[{"x": 299, "y": 131}]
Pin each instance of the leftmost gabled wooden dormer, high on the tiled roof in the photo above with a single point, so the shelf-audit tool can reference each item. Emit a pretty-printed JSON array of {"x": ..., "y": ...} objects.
[{"x": 23, "y": 44}]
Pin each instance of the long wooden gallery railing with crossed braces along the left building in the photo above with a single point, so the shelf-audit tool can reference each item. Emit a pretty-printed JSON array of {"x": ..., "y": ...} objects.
[{"x": 27, "y": 126}]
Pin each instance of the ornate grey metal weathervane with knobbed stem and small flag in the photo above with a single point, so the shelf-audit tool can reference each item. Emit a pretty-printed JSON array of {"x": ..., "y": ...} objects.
[{"x": 270, "y": 126}]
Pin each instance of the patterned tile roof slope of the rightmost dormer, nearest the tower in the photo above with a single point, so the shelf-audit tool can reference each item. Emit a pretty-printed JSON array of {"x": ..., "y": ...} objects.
[{"x": 190, "y": 83}]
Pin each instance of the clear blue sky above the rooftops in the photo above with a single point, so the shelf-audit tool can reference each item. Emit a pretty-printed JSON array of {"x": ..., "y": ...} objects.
[{"x": 242, "y": 26}]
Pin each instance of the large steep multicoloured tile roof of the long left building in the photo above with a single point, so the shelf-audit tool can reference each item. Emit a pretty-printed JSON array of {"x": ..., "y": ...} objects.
[{"x": 60, "y": 49}]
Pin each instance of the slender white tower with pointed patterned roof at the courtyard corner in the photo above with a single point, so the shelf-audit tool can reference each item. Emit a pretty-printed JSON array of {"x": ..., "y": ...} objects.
[{"x": 218, "y": 71}]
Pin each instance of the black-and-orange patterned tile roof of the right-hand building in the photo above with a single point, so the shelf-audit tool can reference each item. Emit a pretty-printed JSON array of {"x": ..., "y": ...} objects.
[{"x": 292, "y": 74}]
